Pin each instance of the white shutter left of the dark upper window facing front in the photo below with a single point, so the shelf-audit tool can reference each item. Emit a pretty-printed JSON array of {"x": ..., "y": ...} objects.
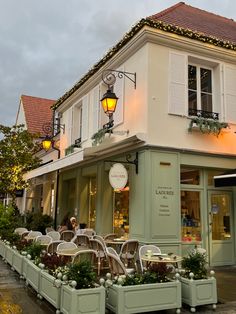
[{"x": 178, "y": 84}]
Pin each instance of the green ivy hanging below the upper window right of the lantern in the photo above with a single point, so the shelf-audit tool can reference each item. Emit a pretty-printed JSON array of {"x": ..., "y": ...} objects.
[{"x": 207, "y": 126}]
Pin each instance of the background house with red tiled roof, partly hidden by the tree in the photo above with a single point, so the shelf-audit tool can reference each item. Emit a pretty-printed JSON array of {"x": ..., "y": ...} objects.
[{"x": 35, "y": 113}]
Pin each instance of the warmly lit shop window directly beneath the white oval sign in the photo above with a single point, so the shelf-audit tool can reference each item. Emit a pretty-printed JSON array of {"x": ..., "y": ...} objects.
[{"x": 121, "y": 212}]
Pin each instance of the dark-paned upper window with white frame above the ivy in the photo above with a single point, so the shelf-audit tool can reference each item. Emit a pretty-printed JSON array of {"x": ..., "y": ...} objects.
[{"x": 199, "y": 90}]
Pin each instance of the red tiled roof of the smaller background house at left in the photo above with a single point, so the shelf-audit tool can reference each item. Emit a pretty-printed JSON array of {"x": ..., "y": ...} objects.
[{"x": 37, "y": 112}]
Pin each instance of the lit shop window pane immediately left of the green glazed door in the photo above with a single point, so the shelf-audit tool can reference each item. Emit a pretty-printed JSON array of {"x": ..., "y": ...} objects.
[{"x": 190, "y": 216}]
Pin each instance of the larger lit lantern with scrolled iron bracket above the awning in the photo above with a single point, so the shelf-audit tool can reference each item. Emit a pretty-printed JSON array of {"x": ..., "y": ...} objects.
[{"x": 109, "y": 99}]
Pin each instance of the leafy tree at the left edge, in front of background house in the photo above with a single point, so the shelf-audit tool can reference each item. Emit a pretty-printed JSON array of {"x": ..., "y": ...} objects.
[{"x": 17, "y": 156}]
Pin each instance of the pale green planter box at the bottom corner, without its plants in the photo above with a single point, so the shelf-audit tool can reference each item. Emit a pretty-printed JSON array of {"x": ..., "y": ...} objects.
[{"x": 82, "y": 301}]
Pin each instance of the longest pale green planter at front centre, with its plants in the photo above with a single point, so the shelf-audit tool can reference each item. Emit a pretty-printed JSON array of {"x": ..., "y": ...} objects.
[{"x": 139, "y": 293}]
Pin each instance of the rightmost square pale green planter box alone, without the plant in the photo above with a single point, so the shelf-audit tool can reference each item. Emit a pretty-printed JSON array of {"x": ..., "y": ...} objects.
[{"x": 199, "y": 292}]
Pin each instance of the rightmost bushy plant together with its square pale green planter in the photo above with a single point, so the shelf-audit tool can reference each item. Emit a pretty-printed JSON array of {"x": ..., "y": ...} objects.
[{"x": 198, "y": 284}]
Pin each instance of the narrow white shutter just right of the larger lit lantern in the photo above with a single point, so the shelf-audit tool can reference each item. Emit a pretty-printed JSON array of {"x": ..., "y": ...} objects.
[{"x": 119, "y": 91}]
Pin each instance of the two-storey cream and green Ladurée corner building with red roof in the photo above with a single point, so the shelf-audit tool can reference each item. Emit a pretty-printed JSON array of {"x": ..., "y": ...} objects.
[{"x": 185, "y": 64}]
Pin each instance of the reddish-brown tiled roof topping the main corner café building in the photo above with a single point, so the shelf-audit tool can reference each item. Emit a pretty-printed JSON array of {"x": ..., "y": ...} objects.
[{"x": 197, "y": 20}]
